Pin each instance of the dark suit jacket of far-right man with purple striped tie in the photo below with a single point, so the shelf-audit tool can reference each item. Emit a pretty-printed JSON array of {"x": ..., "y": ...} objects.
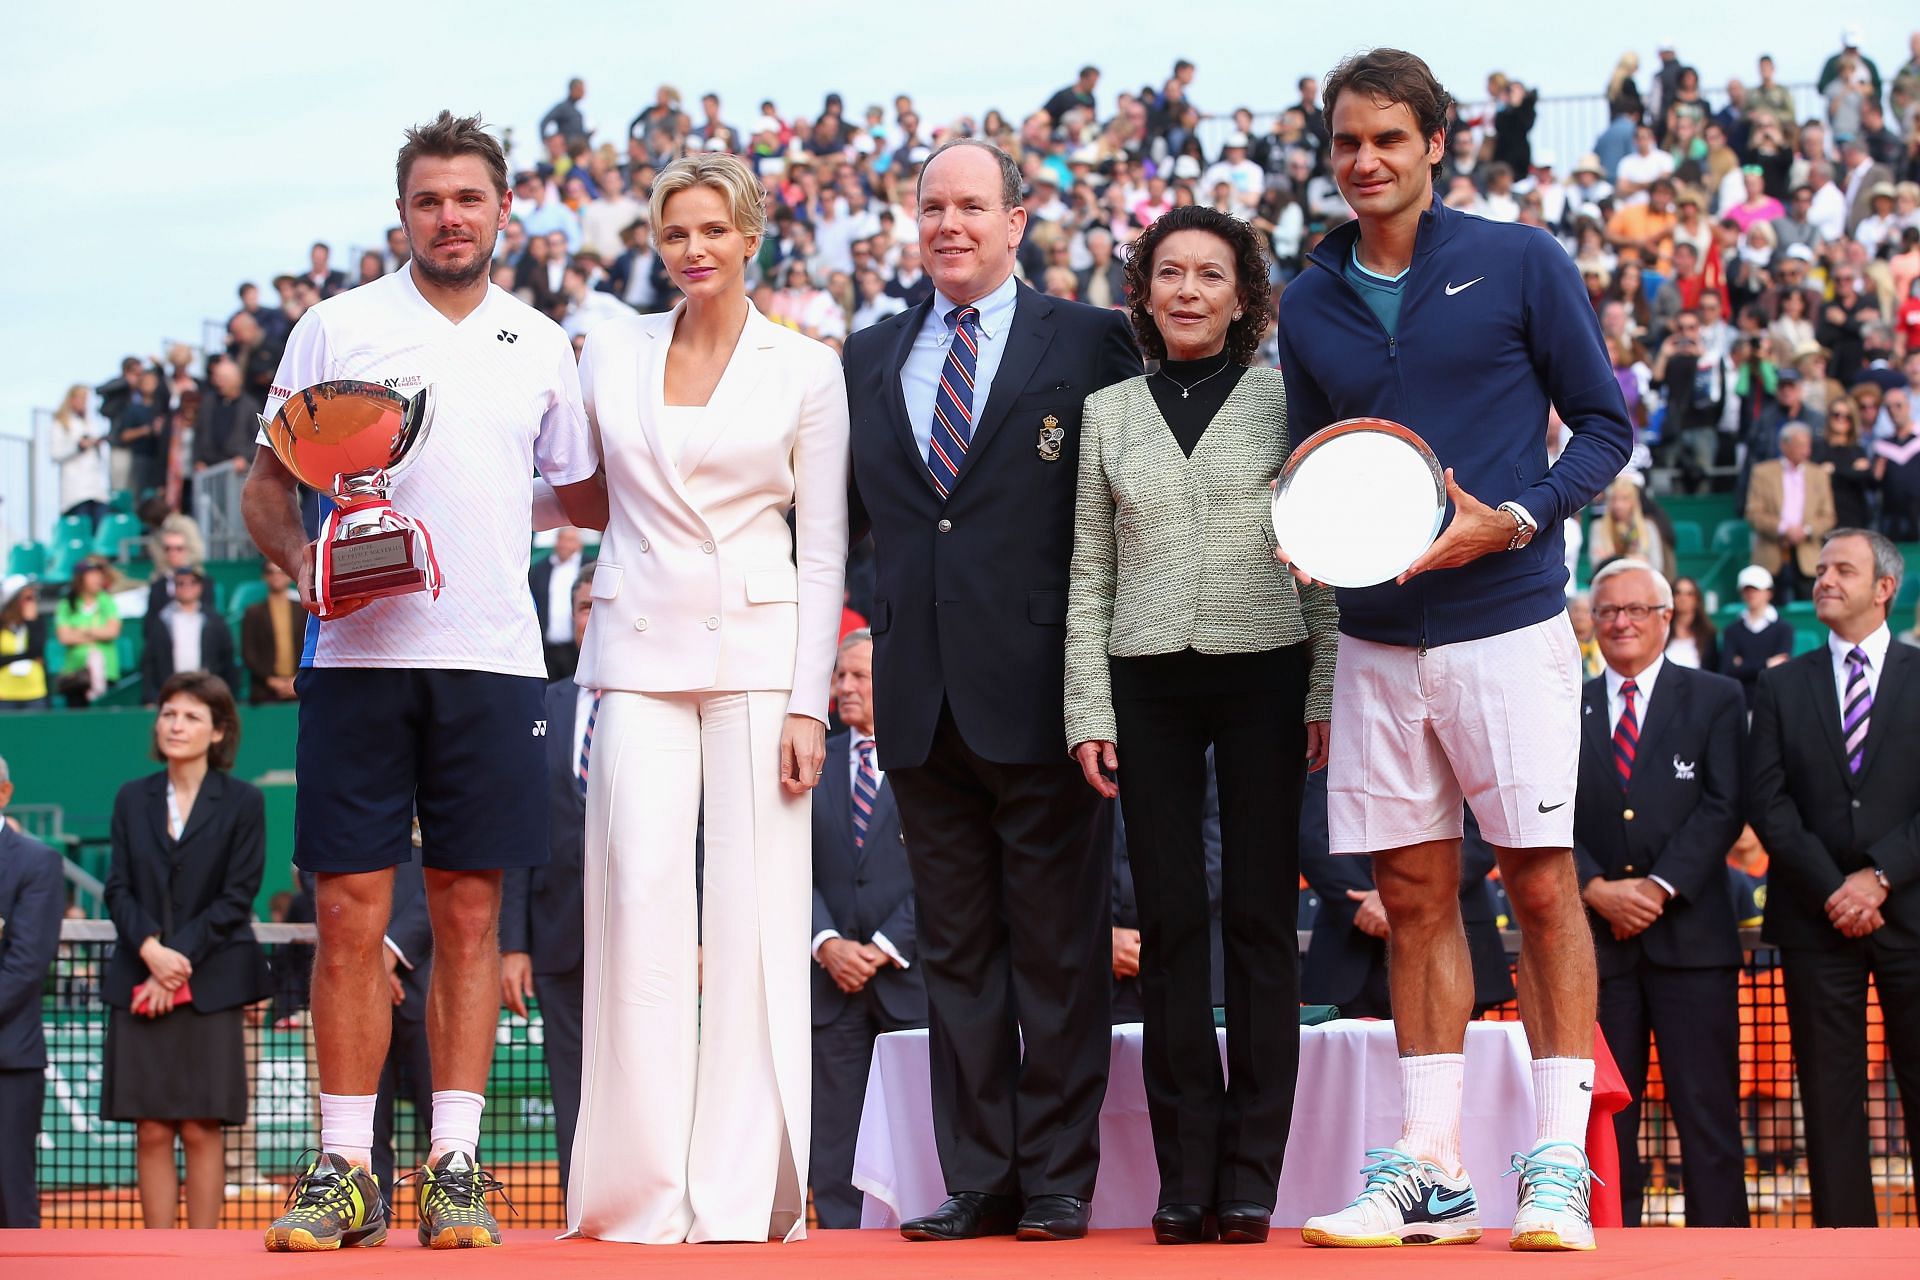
[{"x": 1817, "y": 818}]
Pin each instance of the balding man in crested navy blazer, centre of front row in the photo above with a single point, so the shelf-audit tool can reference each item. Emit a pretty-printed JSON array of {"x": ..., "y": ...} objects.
[{"x": 965, "y": 423}]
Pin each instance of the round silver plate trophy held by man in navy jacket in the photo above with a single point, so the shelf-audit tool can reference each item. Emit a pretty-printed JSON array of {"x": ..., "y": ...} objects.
[{"x": 1358, "y": 504}]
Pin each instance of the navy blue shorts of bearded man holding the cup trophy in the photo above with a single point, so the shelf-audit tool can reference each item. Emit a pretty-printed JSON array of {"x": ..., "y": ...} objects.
[{"x": 464, "y": 749}]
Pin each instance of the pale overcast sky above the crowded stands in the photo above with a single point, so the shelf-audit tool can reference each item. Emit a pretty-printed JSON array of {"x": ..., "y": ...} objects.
[{"x": 160, "y": 154}]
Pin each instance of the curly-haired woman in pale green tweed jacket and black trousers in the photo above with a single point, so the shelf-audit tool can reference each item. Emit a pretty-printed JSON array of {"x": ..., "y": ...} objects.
[{"x": 1186, "y": 634}]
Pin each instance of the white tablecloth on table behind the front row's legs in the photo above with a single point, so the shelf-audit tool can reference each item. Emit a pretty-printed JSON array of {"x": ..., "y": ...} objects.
[{"x": 1347, "y": 1101}]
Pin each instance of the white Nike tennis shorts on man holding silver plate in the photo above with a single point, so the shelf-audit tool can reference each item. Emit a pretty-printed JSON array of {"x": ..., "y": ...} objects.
[{"x": 1493, "y": 723}]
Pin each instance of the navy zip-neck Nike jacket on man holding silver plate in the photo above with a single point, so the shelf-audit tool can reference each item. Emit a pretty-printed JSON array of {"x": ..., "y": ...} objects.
[{"x": 1495, "y": 329}]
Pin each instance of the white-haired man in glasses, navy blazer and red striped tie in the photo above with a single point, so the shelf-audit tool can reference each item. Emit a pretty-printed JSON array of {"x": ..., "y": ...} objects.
[{"x": 1658, "y": 809}]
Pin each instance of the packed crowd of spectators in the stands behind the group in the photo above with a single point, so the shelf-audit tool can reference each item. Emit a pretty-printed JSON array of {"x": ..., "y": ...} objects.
[{"x": 1756, "y": 272}]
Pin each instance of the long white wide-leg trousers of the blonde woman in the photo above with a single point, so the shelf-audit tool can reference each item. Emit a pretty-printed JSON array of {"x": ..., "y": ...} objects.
[{"x": 696, "y": 1087}]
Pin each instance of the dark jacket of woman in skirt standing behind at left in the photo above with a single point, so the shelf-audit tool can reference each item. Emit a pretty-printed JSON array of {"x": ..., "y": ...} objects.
[{"x": 195, "y": 893}]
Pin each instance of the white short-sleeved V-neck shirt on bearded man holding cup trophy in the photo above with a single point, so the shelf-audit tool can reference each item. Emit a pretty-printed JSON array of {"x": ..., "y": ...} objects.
[{"x": 506, "y": 398}]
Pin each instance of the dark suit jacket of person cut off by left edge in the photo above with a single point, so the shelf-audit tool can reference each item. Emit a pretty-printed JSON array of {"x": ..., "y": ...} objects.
[{"x": 32, "y": 903}]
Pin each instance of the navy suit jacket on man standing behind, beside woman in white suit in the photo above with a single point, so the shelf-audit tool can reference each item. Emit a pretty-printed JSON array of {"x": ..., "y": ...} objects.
[{"x": 863, "y": 891}]
